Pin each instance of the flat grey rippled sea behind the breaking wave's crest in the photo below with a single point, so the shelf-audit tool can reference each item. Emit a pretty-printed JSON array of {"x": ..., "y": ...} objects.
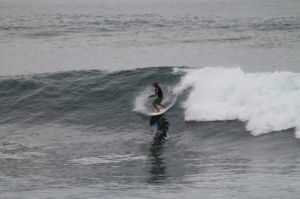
[{"x": 47, "y": 36}]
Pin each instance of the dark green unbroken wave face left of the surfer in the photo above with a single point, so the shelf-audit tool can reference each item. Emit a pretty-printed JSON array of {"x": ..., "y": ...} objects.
[{"x": 92, "y": 98}]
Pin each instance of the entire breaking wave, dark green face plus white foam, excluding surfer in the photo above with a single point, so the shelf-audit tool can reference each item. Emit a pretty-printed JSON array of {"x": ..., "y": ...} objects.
[{"x": 266, "y": 102}]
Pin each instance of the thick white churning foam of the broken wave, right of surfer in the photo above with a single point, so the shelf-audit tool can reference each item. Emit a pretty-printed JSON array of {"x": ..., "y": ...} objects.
[{"x": 265, "y": 101}]
